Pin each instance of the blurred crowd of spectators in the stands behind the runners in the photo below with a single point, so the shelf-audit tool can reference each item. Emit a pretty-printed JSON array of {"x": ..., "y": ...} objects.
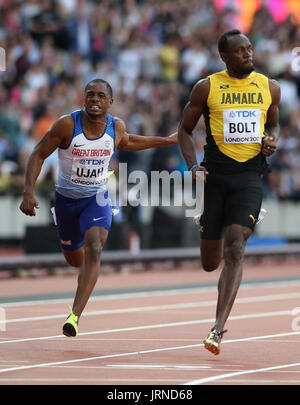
[{"x": 152, "y": 53}]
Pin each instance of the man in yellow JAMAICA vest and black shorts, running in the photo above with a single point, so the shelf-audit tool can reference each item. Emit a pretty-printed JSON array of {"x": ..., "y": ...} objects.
[{"x": 240, "y": 108}]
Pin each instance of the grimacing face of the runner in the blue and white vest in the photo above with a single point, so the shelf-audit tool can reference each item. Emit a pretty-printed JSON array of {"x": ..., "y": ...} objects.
[{"x": 97, "y": 99}]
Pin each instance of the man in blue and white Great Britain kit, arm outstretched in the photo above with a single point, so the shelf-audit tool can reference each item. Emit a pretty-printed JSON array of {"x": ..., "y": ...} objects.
[{"x": 86, "y": 141}]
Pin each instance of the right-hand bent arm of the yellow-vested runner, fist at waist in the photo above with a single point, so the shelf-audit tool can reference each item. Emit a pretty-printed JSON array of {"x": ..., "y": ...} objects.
[{"x": 272, "y": 125}]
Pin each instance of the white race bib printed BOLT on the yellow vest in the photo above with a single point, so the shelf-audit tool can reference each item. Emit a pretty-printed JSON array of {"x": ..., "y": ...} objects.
[{"x": 242, "y": 125}]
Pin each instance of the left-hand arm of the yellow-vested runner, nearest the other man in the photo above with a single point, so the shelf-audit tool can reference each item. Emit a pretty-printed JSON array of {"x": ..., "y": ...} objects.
[{"x": 191, "y": 115}]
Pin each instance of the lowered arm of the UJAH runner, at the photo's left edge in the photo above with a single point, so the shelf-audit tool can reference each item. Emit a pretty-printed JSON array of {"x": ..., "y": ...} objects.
[{"x": 57, "y": 136}]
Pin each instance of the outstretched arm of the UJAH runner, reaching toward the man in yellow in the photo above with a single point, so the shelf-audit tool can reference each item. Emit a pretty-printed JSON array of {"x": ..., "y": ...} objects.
[{"x": 131, "y": 142}]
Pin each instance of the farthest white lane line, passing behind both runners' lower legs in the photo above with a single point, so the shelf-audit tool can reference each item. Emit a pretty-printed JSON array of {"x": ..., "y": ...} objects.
[{"x": 175, "y": 291}]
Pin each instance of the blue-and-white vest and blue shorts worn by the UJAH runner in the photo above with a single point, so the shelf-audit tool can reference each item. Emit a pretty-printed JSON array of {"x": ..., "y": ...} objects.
[{"x": 82, "y": 177}]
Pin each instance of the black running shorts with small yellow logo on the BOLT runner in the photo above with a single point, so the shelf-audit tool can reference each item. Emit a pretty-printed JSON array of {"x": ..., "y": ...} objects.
[{"x": 230, "y": 199}]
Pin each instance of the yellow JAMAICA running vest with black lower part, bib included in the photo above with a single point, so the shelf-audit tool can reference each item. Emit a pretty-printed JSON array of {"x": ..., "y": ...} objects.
[{"x": 235, "y": 117}]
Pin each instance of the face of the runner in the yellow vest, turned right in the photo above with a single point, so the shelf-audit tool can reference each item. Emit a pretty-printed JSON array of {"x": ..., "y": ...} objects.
[{"x": 238, "y": 57}]
